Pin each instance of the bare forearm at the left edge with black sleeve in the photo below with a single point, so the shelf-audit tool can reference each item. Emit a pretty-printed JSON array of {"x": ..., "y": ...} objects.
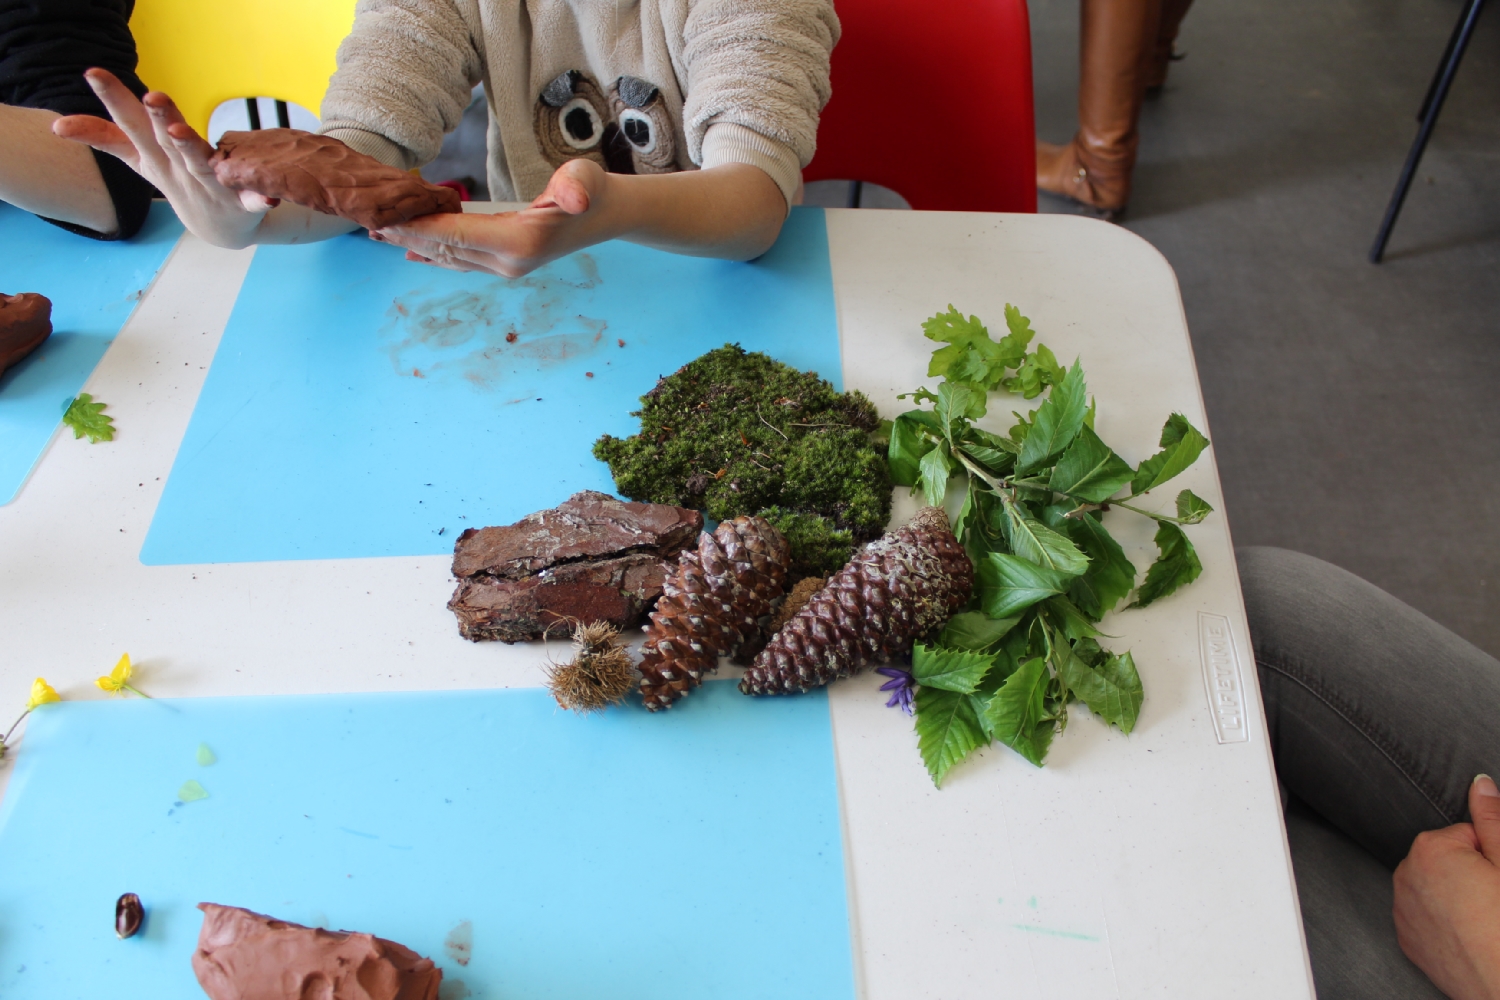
[{"x": 50, "y": 176}]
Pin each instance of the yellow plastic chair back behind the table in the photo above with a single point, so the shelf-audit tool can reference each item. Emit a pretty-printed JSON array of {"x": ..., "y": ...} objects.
[{"x": 208, "y": 52}]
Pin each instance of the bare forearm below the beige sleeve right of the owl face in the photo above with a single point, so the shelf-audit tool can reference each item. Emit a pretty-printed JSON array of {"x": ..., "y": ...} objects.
[{"x": 731, "y": 212}]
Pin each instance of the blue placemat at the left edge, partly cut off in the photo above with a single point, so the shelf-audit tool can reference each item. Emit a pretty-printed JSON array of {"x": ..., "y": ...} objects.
[{"x": 94, "y": 289}]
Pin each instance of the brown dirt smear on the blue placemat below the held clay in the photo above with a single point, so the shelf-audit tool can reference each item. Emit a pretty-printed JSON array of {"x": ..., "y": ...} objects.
[{"x": 503, "y": 328}]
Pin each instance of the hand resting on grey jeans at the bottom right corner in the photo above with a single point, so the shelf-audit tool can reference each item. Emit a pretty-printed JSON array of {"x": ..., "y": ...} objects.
[{"x": 1448, "y": 900}]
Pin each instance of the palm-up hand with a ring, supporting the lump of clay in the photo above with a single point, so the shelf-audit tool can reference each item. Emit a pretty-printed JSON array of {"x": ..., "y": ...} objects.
[{"x": 571, "y": 214}]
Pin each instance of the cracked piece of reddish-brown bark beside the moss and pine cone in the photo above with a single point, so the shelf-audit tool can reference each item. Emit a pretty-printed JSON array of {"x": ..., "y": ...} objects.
[{"x": 592, "y": 558}]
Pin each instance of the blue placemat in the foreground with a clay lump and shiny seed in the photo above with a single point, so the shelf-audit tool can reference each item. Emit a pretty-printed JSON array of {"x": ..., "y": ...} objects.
[{"x": 691, "y": 855}]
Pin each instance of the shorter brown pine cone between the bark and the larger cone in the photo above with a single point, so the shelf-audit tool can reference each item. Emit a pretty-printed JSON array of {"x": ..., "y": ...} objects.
[{"x": 712, "y": 605}]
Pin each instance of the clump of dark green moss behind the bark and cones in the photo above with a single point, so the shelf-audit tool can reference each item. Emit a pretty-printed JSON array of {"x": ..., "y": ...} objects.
[{"x": 736, "y": 433}]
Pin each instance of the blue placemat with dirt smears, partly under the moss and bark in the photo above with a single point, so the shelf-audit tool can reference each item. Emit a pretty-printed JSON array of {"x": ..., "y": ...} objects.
[{"x": 362, "y": 406}]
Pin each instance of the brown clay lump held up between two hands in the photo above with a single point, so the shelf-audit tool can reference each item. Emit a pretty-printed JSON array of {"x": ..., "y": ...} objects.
[{"x": 325, "y": 175}]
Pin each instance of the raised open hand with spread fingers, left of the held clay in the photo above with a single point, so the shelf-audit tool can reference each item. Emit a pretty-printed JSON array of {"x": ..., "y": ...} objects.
[{"x": 157, "y": 143}]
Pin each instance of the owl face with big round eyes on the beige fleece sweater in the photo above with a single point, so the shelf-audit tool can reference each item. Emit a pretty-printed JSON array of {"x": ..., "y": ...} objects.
[{"x": 626, "y": 133}]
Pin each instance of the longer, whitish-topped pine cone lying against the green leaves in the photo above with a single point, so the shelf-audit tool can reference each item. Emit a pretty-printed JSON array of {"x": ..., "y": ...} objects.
[{"x": 899, "y": 588}]
